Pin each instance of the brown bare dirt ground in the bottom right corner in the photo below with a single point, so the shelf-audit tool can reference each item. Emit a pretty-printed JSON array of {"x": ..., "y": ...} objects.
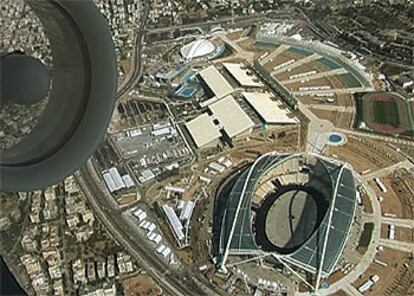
[{"x": 391, "y": 276}]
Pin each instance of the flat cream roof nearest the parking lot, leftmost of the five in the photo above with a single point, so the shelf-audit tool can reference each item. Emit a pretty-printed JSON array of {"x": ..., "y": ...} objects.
[{"x": 203, "y": 130}]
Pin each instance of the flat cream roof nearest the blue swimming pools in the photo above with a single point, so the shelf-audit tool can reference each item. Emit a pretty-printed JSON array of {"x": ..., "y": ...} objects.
[{"x": 216, "y": 82}]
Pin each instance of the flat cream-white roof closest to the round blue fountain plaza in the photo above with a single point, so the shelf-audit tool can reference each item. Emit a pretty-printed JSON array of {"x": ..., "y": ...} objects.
[{"x": 269, "y": 110}]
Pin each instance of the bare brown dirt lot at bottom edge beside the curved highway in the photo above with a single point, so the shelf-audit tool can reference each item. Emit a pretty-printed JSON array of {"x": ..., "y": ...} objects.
[{"x": 141, "y": 285}]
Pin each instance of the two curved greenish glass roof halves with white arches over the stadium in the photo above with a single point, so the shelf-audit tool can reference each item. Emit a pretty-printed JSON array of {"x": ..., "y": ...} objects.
[{"x": 320, "y": 253}]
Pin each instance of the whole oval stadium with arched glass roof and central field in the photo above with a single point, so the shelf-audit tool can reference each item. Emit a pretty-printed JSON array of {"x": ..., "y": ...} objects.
[{"x": 299, "y": 208}]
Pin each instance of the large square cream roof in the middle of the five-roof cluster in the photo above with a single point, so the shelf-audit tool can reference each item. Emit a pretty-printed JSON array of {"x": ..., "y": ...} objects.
[{"x": 231, "y": 116}]
